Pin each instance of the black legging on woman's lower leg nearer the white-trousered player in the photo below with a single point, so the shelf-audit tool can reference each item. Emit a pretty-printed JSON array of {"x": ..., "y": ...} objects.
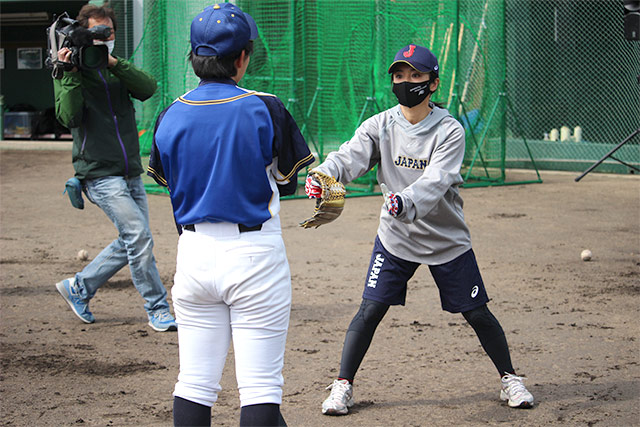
[{"x": 359, "y": 336}]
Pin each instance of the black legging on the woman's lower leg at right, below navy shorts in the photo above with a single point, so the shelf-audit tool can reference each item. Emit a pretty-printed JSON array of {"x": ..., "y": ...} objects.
[{"x": 491, "y": 337}]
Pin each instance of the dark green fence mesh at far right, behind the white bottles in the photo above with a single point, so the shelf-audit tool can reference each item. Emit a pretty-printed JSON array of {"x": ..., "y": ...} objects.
[{"x": 570, "y": 66}]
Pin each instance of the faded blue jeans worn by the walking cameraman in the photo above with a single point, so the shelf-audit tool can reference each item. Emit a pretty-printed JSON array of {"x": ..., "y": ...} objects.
[{"x": 124, "y": 201}]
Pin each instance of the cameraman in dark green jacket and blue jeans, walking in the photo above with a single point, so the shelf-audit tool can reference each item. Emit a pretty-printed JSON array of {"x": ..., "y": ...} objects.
[{"x": 96, "y": 106}]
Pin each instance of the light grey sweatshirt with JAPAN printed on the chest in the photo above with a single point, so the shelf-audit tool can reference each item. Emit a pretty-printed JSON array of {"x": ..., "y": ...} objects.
[{"x": 421, "y": 163}]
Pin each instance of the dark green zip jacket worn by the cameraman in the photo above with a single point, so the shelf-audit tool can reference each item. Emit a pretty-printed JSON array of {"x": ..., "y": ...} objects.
[{"x": 96, "y": 106}]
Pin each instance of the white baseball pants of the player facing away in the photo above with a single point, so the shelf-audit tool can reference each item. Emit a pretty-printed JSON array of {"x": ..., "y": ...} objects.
[{"x": 231, "y": 285}]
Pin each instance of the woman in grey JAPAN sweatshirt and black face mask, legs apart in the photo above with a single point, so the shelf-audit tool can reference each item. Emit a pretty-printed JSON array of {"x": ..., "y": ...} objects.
[{"x": 418, "y": 148}]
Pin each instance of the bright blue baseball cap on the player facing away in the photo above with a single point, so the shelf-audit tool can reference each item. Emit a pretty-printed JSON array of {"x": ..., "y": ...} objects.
[{"x": 222, "y": 30}]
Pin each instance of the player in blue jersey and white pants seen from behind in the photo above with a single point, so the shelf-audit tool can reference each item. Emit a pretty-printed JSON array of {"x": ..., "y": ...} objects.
[{"x": 227, "y": 154}]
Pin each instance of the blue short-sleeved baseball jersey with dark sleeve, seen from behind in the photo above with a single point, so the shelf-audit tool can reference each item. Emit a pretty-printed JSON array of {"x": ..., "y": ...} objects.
[{"x": 220, "y": 149}]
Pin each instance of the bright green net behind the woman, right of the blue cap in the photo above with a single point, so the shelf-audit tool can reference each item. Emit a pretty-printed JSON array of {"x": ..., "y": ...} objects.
[{"x": 332, "y": 67}]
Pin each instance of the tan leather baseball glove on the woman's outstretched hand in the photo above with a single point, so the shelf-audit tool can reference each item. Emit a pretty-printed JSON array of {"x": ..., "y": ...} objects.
[{"x": 329, "y": 204}]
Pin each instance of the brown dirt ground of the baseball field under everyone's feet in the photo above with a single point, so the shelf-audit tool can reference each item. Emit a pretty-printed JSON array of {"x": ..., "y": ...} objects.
[{"x": 572, "y": 326}]
